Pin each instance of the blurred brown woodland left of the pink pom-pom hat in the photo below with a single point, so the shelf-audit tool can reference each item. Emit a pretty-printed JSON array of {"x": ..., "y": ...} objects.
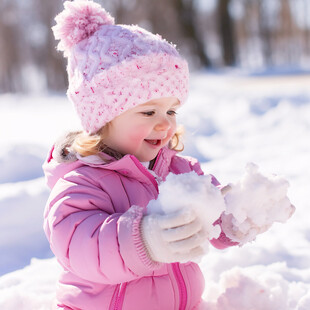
[{"x": 28, "y": 48}]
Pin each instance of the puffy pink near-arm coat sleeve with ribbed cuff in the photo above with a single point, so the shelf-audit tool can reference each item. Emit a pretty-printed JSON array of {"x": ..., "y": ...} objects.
[{"x": 89, "y": 238}]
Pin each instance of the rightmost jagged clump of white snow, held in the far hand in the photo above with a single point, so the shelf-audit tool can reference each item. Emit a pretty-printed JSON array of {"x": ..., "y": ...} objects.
[{"x": 254, "y": 203}]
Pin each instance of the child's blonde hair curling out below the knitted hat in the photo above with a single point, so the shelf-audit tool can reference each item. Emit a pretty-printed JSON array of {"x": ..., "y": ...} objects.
[{"x": 93, "y": 144}]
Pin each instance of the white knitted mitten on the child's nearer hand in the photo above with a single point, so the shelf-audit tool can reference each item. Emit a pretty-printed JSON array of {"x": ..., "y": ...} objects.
[{"x": 174, "y": 237}]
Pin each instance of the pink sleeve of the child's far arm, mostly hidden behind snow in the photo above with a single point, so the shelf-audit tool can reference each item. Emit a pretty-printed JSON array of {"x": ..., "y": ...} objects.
[{"x": 185, "y": 164}]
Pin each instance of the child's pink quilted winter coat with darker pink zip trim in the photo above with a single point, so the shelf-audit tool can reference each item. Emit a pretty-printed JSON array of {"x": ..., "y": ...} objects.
[{"x": 92, "y": 221}]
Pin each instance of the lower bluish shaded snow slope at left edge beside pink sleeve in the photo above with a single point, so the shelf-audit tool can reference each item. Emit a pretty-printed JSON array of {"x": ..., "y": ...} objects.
[{"x": 22, "y": 236}]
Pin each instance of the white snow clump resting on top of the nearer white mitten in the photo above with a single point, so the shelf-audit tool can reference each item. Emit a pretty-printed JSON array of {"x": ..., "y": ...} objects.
[{"x": 189, "y": 190}]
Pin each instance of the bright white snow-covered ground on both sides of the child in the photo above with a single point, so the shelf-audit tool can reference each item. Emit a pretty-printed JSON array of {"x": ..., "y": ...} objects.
[{"x": 230, "y": 119}]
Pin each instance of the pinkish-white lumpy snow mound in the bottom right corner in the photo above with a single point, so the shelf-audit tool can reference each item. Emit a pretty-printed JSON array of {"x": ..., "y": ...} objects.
[{"x": 259, "y": 288}]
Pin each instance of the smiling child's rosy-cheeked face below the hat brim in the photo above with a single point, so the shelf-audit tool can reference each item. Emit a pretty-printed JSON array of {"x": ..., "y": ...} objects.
[{"x": 142, "y": 131}]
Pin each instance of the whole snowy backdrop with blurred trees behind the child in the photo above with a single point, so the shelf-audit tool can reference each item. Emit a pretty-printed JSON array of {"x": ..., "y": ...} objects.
[{"x": 232, "y": 117}]
